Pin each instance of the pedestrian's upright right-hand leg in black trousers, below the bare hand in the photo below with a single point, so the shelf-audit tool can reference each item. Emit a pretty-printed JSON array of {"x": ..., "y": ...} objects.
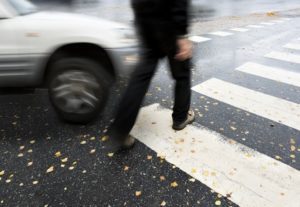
[{"x": 181, "y": 71}]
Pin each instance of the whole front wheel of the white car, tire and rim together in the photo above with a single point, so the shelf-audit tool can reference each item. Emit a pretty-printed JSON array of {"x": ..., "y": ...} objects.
[{"x": 78, "y": 89}]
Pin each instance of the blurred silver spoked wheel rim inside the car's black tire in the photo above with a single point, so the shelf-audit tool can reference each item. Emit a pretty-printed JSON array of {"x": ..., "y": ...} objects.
[{"x": 75, "y": 92}]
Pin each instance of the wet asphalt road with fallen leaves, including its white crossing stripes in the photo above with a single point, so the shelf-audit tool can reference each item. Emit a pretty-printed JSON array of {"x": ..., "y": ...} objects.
[{"x": 46, "y": 162}]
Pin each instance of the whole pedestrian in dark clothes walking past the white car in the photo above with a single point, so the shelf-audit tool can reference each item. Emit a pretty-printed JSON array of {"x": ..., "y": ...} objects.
[{"x": 162, "y": 26}]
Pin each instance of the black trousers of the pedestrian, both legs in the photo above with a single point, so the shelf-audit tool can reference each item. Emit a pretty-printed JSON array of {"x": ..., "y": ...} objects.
[{"x": 139, "y": 84}]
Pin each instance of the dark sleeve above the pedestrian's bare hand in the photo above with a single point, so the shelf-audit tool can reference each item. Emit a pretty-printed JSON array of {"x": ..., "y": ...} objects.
[{"x": 180, "y": 16}]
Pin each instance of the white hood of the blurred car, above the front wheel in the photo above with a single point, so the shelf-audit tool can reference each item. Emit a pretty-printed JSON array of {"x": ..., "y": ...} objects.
[{"x": 69, "y": 27}]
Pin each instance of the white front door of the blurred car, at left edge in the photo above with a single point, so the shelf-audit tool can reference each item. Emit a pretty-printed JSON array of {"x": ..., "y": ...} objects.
[{"x": 17, "y": 67}]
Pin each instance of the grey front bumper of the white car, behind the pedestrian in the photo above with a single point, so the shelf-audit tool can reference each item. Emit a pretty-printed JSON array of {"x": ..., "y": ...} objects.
[{"x": 124, "y": 59}]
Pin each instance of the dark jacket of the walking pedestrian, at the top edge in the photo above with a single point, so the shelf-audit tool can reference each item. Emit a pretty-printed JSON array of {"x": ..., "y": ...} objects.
[{"x": 171, "y": 15}]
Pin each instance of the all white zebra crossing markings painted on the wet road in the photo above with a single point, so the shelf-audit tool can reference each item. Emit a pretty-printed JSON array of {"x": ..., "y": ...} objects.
[{"x": 243, "y": 175}]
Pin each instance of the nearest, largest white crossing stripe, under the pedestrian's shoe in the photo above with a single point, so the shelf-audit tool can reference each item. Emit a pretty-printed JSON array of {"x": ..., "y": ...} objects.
[{"x": 250, "y": 178}]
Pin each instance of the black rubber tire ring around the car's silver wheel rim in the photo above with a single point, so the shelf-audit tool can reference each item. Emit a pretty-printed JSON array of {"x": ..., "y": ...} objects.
[{"x": 87, "y": 66}]
